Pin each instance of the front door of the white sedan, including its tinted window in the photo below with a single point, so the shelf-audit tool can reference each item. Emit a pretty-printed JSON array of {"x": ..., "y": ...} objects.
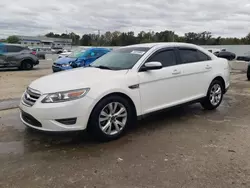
[{"x": 161, "y": 88}]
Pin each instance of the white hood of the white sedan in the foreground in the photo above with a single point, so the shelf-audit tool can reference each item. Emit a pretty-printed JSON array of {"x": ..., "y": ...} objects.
[{"x": 74, "y": 79}]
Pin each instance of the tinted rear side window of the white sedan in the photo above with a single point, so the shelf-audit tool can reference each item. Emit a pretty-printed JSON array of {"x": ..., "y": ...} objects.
[{"x": 192, "y": 55}]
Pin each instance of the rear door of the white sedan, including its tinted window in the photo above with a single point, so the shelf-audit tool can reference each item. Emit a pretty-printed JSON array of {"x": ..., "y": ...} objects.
[{"x": 196, "y": 68}]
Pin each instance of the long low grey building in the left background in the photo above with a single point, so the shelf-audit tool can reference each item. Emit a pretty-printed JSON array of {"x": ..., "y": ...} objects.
[{"x": 42, "y": 41}]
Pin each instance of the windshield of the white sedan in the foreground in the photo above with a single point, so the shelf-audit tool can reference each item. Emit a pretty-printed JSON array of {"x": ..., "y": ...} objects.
[{"x": 120, "y": 59}]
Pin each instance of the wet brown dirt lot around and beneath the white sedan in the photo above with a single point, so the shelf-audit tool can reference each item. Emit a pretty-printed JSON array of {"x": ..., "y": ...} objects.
[{"x": 185, "y": 147}]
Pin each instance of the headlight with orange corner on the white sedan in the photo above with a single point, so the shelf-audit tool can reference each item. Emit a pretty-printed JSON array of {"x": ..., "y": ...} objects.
[{"x": 65, "y": 96}]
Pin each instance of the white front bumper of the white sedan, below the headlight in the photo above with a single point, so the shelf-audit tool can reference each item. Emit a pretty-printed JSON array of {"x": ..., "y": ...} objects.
[{"x": 45, "y": 117}]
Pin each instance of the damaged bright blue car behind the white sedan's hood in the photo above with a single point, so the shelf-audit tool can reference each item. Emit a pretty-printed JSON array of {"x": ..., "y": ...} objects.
[{"x": 80, "y": 59}]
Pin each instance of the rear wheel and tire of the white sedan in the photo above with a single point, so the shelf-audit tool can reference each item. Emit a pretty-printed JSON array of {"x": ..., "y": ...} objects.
[{"x": 214, "y": 95}]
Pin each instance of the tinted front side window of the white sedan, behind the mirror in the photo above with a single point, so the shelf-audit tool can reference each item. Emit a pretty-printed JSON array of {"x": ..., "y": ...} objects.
[{"x": 167, "y": 58}]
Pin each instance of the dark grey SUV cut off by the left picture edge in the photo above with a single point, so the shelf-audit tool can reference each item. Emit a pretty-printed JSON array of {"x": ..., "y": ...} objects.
[{"x": 17, "y": 56}]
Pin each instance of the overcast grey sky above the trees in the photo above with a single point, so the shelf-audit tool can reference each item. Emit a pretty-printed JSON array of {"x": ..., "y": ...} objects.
[{"x": 38, "y": 17}]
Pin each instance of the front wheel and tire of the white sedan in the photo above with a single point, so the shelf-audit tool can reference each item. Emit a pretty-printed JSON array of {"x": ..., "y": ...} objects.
[{"x": 106, "y": 127}]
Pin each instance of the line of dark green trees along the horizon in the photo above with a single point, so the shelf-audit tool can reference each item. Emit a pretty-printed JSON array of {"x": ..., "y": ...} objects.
[{"x": 117, "y": 38}]
